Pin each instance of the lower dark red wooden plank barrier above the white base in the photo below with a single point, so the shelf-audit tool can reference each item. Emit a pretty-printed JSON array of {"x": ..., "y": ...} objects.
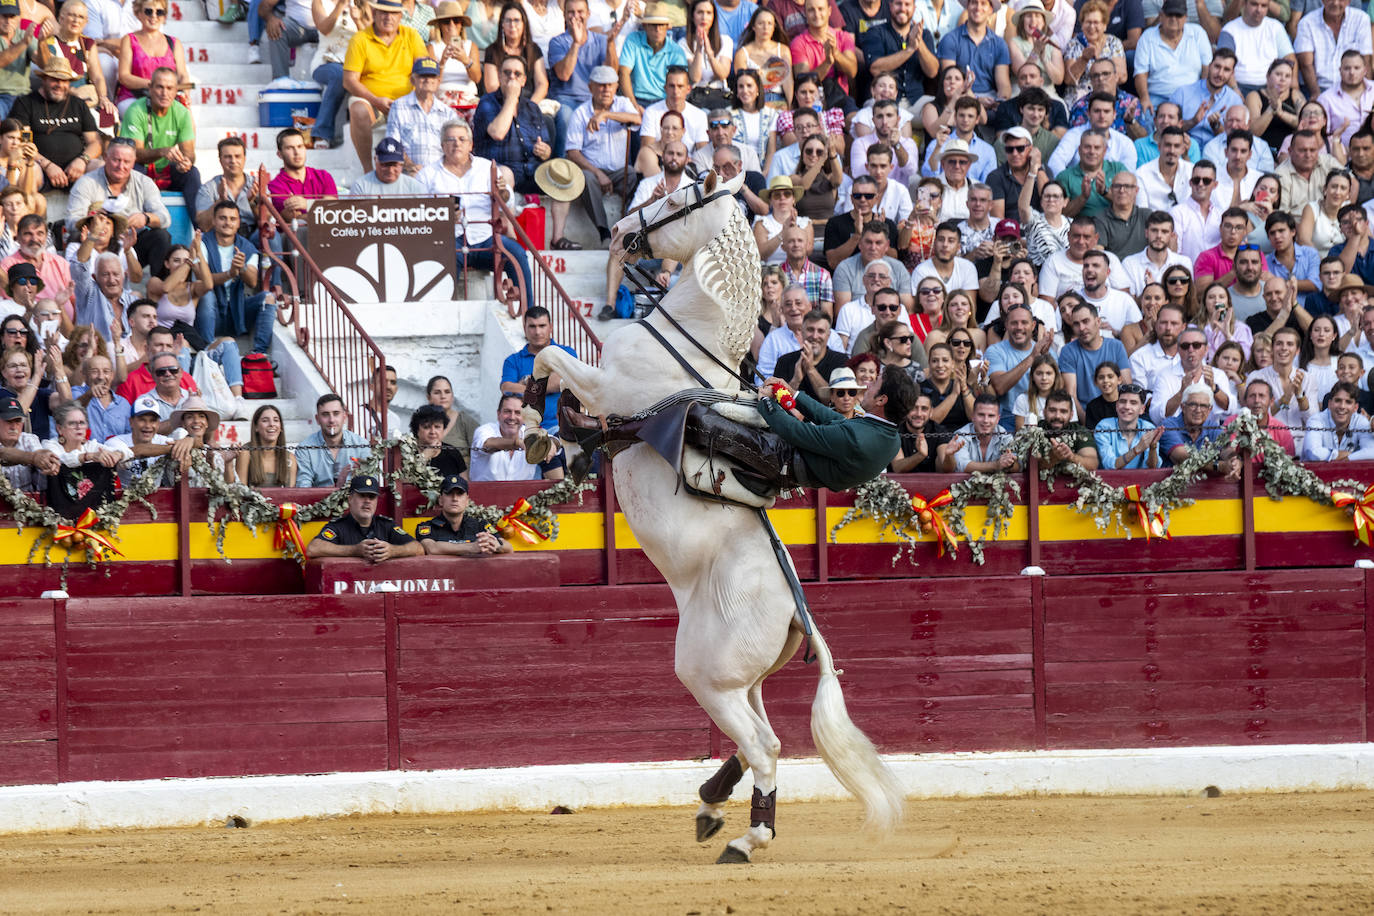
[{"x": 105, "y": 689}]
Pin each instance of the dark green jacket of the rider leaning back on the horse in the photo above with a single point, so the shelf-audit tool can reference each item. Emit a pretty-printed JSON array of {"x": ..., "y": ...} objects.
[{"x": 840, "y": 454}]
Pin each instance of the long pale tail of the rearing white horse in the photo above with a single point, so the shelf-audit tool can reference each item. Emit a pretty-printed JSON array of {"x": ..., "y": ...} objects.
[{"x": 848, "y": 752}]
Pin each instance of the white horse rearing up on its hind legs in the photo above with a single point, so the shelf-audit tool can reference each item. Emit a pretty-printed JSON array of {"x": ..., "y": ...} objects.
[{"x": 737, "y": 621}]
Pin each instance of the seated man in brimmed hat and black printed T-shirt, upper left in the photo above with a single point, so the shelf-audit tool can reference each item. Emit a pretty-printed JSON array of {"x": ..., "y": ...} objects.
[{"x": 64, "y": 128}]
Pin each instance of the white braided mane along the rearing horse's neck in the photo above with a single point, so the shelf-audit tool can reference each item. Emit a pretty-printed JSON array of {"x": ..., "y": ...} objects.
[{"x": 733, "y": 275}]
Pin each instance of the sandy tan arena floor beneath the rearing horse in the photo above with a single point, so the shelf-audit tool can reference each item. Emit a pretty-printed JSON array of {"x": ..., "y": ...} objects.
[{"x": 1233, "y": 855}]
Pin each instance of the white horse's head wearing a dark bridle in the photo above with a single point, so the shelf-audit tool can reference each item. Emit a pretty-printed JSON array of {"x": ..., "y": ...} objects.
[{"x": 679, "y": 225}]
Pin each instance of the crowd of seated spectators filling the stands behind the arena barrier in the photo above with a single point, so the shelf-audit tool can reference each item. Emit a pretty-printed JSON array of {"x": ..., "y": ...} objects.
[{"x": 1119, "y": 222}]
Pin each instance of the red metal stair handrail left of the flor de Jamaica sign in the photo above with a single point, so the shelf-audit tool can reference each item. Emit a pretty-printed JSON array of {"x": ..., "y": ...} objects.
[{"x": 333, "y": 340}]
